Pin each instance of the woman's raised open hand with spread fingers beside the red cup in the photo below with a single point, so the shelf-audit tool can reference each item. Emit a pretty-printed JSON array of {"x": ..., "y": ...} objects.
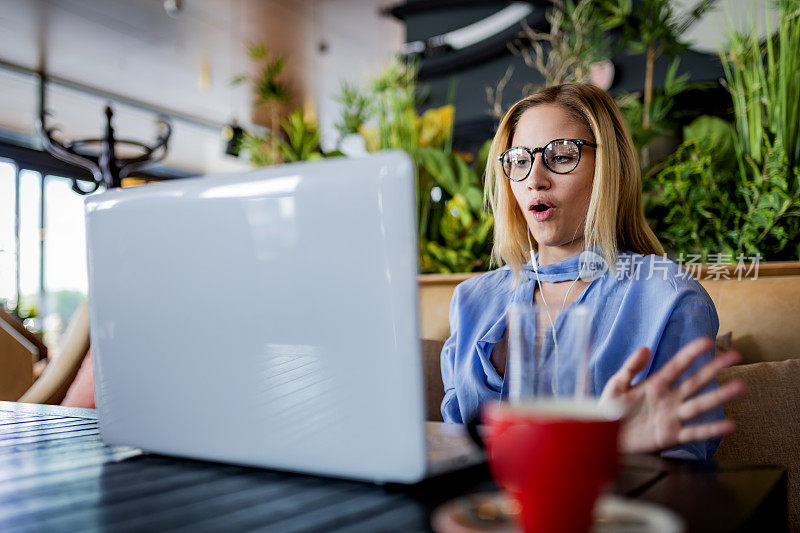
[{"x": 658, "y": 409}]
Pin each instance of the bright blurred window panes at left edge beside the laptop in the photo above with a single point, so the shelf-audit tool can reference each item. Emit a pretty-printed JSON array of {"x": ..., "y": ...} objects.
[{"x": 42, "y": 247}]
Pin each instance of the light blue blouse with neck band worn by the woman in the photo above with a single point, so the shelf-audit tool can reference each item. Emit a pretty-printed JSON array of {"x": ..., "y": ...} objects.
[{"x": 642, "y": 301}]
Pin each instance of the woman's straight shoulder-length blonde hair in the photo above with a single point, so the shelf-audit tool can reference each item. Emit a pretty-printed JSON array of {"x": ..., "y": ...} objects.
[{"x": 614, "y": 220}]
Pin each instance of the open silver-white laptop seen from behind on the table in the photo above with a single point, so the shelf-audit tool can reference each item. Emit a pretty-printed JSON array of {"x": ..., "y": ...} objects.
[{"x": 266, "y": 319}]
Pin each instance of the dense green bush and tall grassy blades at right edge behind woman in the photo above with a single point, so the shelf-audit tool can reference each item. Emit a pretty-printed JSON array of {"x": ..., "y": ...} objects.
[{"x": 735, "y": 189}]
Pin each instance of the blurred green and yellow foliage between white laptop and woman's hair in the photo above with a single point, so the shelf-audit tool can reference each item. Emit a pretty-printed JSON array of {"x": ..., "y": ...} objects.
[{"x": 454, "y": 229}]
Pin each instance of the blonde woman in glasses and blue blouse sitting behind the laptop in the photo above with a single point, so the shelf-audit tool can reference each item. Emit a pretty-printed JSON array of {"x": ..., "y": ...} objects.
[{"x": 563, "y": 179}]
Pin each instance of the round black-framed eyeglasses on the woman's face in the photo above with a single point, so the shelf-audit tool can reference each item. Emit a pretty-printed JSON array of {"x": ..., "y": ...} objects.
[{"x": 559, "y": 155}]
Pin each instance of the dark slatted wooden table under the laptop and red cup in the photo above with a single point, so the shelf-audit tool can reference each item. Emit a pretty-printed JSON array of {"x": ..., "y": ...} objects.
[{"x": 57, "y": 475}]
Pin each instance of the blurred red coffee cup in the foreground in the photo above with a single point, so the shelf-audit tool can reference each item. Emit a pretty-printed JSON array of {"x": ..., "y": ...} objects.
[{"x": 553, "y": 457}]
